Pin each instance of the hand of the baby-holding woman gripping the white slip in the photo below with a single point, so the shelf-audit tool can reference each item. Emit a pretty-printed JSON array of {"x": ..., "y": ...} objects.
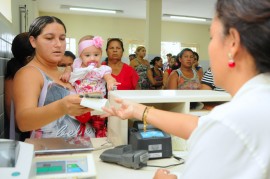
[{"x": 71, "y": 105}]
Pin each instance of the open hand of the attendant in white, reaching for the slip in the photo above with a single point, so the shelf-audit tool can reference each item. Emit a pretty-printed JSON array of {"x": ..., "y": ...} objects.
[{"x": 126, "y": 110}]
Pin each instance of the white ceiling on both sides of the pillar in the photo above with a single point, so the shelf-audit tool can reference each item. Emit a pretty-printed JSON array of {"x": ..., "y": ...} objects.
[{"x": 134, "y": 8}]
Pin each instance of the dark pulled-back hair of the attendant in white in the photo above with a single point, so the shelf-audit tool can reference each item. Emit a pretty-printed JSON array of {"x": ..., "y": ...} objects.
[{"x": 252, "y": 20}]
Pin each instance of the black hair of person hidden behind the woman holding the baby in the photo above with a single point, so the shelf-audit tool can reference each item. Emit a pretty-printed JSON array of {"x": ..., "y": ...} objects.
[{"x": 22, "y": 52}]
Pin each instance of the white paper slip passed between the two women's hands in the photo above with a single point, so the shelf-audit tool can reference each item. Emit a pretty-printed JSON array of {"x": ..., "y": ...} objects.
[{"x": 95, "y": 104}]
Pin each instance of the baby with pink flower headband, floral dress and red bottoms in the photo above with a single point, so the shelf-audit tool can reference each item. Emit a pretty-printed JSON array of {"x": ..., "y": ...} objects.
[{"x": 89, "y": 78}]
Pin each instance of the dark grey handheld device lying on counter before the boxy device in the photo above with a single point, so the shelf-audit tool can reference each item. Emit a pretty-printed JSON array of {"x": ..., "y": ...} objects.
[{"x": 124, "y": 155}]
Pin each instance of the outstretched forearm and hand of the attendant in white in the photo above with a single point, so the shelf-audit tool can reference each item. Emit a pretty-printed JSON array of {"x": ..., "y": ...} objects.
[{"x": 178, "y": 124}]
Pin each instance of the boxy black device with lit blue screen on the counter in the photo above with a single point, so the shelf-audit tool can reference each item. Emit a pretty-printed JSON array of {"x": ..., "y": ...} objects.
[{"x": 155, "y": 141}]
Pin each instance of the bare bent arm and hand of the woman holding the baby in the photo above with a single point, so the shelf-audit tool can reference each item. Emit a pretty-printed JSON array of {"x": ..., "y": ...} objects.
[{"x": 28, "y": 83}]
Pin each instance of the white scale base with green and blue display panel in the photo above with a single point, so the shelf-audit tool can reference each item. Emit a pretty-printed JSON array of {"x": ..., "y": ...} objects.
[{"x": 65, "y": 166}]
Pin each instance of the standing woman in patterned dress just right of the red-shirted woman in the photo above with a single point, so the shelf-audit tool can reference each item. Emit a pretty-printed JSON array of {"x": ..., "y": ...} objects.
[{"x": 141, "y": 65}]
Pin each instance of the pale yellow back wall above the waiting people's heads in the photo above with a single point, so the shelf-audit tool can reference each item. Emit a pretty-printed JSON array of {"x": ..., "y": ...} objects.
[{"x": 134, "y": 30}]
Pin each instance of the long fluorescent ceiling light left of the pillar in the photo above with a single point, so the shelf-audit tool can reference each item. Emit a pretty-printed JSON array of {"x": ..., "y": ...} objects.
[{"x": 89, "y": 9}]
